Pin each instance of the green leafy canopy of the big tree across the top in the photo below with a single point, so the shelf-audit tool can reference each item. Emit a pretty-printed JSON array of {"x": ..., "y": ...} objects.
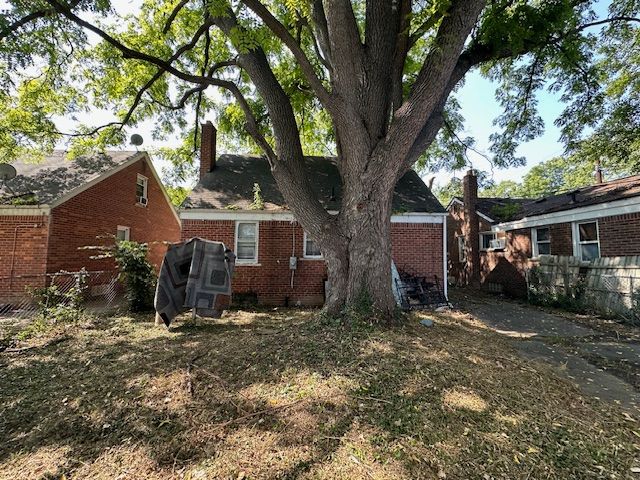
[{"x": 61, "y": 58}]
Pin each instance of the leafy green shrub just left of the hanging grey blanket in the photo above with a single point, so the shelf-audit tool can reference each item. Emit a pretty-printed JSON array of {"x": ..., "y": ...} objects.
[{"x": 136, "y": 273}]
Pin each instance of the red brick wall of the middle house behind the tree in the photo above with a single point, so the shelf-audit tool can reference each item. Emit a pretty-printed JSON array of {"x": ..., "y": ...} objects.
[{"x": 416, "y": 247}]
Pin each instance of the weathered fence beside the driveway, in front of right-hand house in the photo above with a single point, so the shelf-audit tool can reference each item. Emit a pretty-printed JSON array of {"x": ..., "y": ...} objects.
[{"x": 587, "y": 291}]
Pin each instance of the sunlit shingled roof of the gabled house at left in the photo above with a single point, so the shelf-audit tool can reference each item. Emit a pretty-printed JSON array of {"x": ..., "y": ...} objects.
[{"x": 55, "y": 176}]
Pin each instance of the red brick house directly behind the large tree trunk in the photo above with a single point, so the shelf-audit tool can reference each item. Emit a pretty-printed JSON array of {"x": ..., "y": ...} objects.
[{"x": 221, "y": 207}]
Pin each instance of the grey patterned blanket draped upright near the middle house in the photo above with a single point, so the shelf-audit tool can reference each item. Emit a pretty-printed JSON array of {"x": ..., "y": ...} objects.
[{"x": 192, "y": 275}]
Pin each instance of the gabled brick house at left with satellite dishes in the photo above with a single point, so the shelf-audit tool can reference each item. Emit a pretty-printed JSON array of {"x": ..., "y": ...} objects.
[{"x": 54, "y": 207}]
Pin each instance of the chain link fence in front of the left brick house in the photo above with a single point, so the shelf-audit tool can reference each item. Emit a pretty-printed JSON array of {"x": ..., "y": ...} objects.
[{"x": 100, "y": 290}]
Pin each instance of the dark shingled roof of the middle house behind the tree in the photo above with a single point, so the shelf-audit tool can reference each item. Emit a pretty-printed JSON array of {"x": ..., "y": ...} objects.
[{"x": 231, "y": 186}]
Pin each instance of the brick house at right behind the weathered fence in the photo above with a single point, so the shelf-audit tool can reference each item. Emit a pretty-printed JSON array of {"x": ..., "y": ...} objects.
[{"x": 600, "y": 220}]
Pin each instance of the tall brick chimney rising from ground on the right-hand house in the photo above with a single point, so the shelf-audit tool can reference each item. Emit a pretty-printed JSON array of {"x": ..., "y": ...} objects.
[{"x": 471, "y": 227}]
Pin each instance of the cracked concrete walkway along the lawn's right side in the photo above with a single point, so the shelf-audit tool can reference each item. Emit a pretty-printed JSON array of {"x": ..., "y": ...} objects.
[{"x": 536, "y": 334}]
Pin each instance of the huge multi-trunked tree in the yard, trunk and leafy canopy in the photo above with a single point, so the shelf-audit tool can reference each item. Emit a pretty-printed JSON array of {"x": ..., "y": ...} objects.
[{"x": 373, "y": 78}]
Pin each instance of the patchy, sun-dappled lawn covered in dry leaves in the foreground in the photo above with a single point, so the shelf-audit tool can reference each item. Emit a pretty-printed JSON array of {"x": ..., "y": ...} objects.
[{"x": 279, "y": 394}]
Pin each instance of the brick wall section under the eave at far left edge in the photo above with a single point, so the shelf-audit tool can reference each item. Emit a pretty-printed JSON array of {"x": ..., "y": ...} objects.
[{"x": 25, "y": 265}]
